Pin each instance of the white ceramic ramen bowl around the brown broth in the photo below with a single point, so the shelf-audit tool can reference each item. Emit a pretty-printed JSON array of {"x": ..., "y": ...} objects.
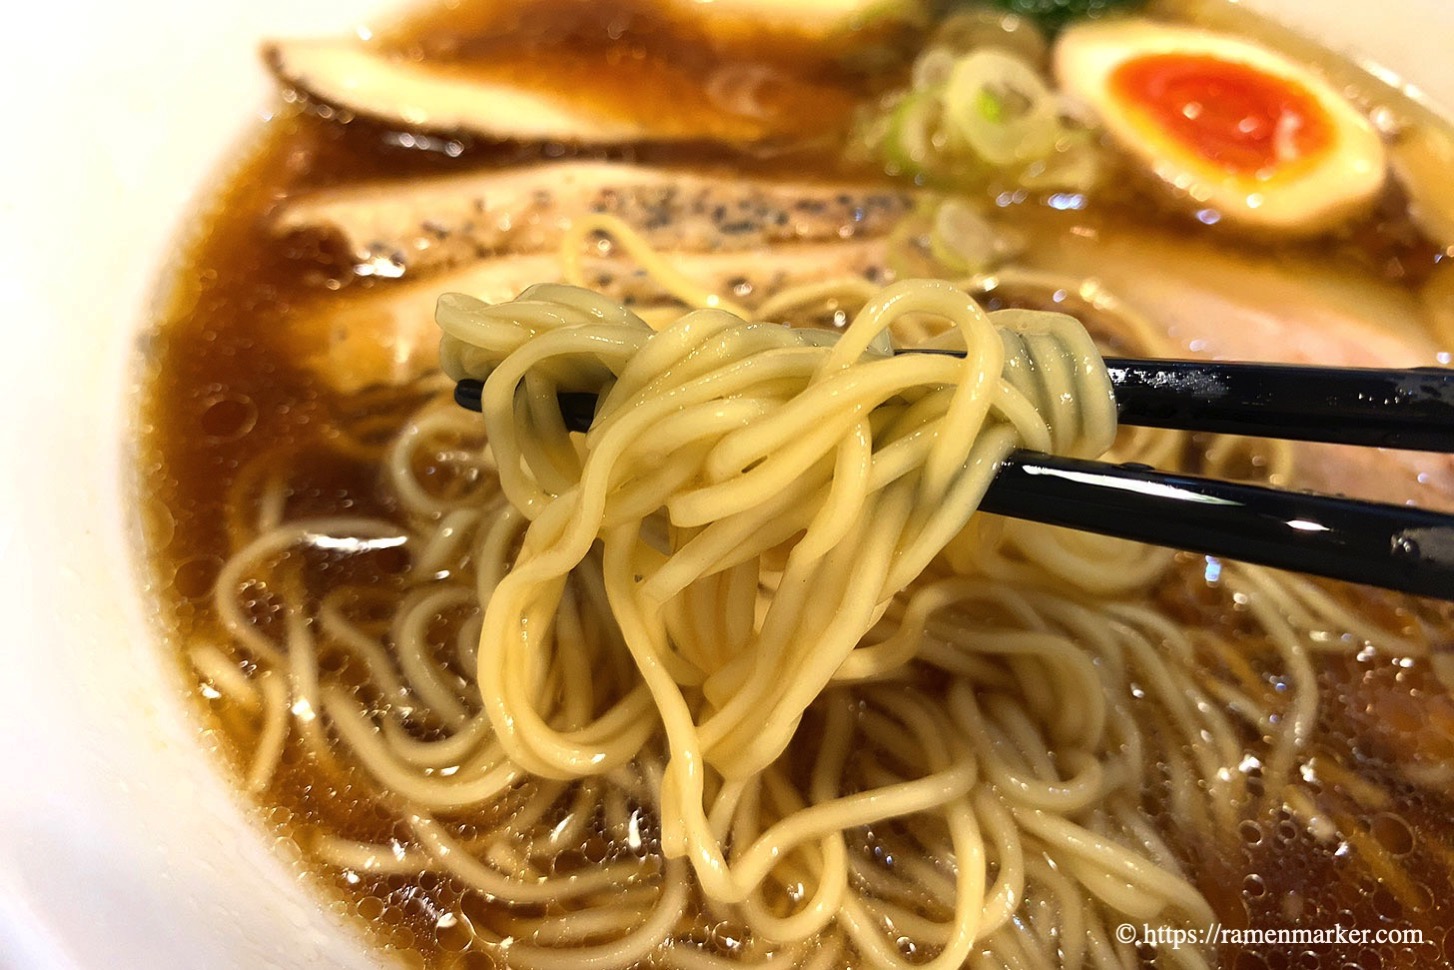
[{"x": 120, "y": 846}]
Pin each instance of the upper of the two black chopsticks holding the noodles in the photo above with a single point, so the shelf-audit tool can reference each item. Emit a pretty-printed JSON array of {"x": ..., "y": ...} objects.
[{"x": 1376, "y": 408}]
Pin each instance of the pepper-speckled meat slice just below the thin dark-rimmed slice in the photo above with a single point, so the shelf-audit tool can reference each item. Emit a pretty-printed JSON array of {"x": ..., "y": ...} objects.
[{"x": 390, "y": 229}]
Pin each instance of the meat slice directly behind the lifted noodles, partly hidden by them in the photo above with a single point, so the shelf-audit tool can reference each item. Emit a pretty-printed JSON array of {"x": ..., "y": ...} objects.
[{"x": 387, "y": 335}]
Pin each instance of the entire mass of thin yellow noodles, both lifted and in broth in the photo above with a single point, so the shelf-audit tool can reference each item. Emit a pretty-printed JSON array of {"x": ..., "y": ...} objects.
[{"x": 750, "y": 641}]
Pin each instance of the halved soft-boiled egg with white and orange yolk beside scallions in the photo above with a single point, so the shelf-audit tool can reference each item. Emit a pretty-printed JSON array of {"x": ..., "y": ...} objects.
[{"x": 1240, "y": 132}]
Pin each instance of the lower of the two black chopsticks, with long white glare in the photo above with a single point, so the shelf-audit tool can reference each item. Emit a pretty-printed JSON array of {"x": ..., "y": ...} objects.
[{"x": 1389, "y": 546}]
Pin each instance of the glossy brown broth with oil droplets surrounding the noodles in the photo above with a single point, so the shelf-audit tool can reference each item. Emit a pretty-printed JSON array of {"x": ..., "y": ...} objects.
[{"x": 223, "y": 392}]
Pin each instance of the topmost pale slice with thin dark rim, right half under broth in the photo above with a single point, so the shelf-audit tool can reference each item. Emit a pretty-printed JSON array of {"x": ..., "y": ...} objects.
[{"x": 562, "y": 98}]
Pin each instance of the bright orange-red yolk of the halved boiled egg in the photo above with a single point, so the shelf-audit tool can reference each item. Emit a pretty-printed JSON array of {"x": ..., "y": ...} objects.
[{"x": 1237, "y": 117}]
